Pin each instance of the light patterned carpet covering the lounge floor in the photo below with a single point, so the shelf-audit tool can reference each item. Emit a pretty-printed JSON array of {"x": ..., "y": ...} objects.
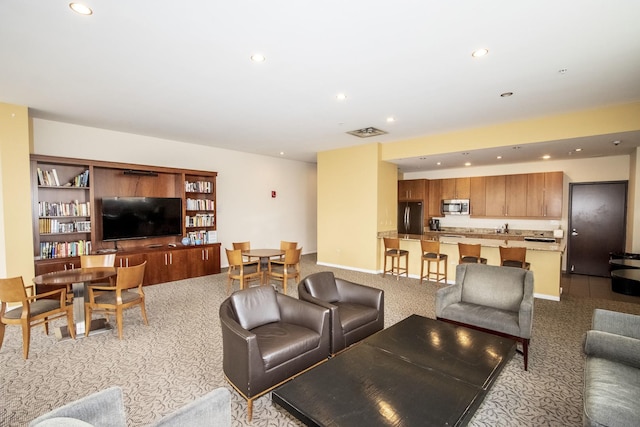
[{"x": 178, "y": 357}]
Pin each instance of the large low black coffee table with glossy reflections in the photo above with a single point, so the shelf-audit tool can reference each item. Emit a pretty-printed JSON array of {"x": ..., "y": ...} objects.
[{"x": 419, "y": 371}]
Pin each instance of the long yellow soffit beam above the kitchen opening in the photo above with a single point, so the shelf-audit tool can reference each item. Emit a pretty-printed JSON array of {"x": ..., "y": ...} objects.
[{"x": 621, "y": 118}]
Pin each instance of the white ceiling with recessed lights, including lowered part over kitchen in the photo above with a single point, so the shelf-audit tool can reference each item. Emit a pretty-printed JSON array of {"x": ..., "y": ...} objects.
[{"x": 182, "y": 70}]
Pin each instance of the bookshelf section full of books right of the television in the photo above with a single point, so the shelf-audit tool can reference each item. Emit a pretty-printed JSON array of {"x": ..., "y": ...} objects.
[{"x": 200, "y": 209}]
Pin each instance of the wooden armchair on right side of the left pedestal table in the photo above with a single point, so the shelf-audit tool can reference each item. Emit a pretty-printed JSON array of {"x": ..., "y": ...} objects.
[{"x": 127, "y": 293}]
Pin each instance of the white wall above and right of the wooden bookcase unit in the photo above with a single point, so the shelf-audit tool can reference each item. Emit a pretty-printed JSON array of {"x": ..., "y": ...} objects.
[{"x": 246, "y": 210}]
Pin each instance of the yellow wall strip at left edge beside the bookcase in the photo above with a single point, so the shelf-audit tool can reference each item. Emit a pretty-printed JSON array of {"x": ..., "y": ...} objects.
[{"x": 16, "y": 233}]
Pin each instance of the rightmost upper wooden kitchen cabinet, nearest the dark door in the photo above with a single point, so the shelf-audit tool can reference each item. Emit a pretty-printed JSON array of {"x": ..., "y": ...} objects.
[{"x": 544, "y": 195}]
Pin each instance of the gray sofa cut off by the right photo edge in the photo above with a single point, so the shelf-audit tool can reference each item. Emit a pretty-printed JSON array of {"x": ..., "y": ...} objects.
[{"x": 612, "y": 370}]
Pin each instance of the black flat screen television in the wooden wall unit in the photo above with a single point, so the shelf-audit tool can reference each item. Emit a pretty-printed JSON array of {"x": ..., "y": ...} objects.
[{"x": 141, "y": 217}]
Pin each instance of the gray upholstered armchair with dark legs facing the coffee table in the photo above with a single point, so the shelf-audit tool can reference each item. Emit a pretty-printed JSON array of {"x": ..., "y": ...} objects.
[{"x": 490, "y": 298}]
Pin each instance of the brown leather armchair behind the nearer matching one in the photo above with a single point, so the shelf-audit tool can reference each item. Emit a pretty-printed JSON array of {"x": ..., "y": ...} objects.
[{"x": 357, "y": 311}]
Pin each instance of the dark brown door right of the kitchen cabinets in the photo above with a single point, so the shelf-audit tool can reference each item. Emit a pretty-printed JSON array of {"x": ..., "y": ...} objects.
[{"x": 597, "y": 225}]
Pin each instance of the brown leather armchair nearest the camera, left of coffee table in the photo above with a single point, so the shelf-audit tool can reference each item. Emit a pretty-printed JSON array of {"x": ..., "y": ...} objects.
[{"x": 268, "y": 337}]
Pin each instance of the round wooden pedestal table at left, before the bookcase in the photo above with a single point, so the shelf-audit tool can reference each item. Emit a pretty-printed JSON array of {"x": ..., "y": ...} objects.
[{"x": 78, "y": 279}]
